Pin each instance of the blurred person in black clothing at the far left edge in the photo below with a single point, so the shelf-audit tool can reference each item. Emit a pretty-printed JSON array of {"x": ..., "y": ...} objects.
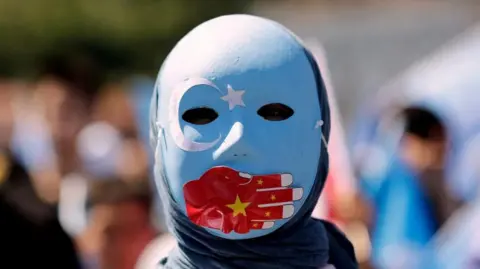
[{"x": 31, "y": 235}]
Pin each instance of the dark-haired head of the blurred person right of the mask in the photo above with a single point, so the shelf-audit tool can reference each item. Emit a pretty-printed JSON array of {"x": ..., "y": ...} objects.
[{"x": 424, "y": 143}]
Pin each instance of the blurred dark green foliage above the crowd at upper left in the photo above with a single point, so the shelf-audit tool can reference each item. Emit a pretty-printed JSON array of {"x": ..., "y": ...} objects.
[{"x": 124, "y": 36}]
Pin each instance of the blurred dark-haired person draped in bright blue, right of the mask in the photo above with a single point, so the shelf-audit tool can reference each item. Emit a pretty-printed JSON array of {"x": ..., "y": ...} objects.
[{"x": 415, "y": 200}]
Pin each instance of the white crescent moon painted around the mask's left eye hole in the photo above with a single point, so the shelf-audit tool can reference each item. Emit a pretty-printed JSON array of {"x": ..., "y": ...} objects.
[{"x": 174, "y": 106}]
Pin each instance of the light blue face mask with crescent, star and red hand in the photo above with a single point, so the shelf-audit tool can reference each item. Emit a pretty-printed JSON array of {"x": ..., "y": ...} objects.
[{"x": 240, "y": 126}]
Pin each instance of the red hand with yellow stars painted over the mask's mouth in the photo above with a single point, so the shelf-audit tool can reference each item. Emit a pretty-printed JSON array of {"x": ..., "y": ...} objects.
[{"x": 228, "y": 200}]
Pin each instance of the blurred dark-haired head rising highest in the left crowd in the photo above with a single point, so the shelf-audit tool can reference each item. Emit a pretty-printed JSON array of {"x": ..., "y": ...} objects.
[{"x": 65, "y": 88}]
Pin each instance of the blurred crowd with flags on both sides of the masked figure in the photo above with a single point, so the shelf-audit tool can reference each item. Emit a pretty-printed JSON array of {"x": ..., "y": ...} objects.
[{"x": 76, "y": 186}]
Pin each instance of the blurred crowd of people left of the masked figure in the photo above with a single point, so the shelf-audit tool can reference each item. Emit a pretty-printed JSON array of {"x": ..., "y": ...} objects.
[{"x": 75, "y": 188}]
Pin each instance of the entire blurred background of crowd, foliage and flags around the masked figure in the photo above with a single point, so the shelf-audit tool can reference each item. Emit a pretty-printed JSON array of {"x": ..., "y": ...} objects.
[{"x": 75, "y": 164}]
